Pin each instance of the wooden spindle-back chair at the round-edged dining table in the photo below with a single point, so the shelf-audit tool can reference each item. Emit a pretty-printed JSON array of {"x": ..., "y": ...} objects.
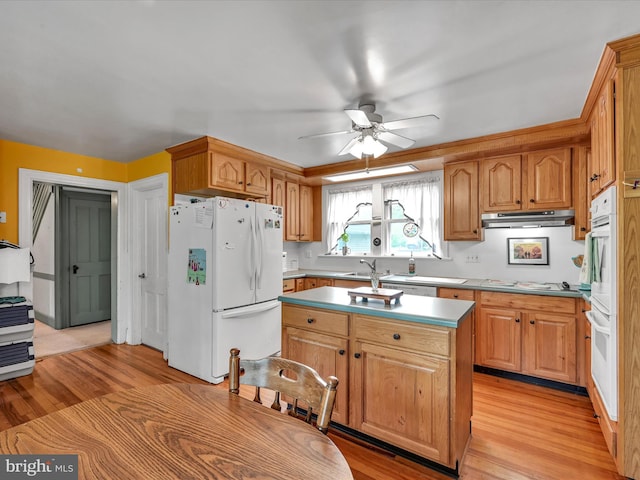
[{"x": 291, "y": 378}]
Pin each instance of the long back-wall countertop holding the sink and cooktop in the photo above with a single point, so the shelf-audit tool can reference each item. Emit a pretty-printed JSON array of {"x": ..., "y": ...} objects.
[{"x": 469, "y": 283}]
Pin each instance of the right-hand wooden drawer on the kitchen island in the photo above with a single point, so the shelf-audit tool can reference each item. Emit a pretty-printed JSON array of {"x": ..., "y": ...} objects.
[{"x": 412, "y": 336}]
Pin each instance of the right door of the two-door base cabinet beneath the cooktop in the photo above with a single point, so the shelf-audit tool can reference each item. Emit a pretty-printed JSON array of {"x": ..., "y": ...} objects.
[{"x": 549, "y": 346}]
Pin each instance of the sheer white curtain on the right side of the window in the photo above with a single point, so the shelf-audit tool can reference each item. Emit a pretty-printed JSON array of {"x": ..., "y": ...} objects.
[{"x": 421, "y": 200}]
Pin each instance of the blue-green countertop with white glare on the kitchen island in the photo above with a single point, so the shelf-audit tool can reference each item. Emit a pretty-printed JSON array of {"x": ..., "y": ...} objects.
[{"x": 428, "y": 310}]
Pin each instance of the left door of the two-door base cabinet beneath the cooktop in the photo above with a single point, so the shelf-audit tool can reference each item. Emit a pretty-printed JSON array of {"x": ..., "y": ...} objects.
[{"x": 498, "y": 339}]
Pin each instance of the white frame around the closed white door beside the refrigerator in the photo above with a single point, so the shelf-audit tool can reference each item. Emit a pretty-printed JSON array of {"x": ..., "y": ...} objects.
[{"x": 159, "y": 181}]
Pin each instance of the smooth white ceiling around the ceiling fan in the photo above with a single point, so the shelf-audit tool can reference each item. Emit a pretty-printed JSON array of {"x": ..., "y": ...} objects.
[{"x": 121, "y": 80}]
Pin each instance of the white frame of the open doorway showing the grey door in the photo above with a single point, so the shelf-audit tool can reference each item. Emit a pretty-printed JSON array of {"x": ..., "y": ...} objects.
[{"x": 26, "y": 178}]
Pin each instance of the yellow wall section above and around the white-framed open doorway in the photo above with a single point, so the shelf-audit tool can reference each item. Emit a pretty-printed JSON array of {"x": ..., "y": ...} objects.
[{"x": 14, "y": 156}]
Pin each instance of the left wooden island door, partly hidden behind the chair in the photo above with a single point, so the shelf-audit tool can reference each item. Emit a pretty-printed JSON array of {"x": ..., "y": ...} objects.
[{"x": 328, "y": 355}]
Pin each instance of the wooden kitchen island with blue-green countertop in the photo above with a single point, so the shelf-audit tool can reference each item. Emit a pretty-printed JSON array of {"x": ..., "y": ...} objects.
[{"x": 405, "y": 369}]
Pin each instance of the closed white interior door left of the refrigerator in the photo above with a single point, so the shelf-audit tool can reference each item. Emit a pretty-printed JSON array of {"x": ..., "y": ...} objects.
[{"x": 149, "y": 251}]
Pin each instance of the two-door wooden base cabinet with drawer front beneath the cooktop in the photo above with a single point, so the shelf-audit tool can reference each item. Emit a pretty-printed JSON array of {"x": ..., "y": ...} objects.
[{"x": 530, "y": 334}]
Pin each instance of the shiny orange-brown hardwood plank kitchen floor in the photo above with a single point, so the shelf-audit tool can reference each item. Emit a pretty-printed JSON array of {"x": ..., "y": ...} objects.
[{"x": 520, "y": 431}]
